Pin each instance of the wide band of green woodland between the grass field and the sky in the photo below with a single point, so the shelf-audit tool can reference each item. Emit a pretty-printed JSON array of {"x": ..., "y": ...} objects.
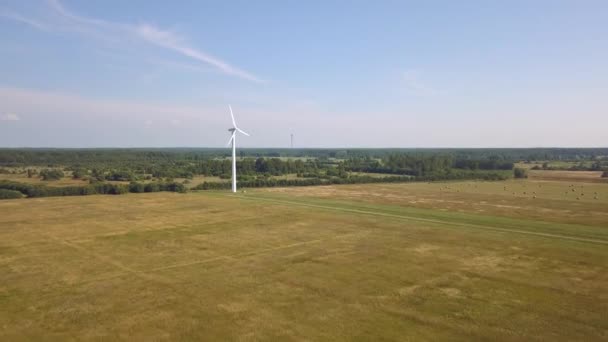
[{"x": 117, "y": 171}]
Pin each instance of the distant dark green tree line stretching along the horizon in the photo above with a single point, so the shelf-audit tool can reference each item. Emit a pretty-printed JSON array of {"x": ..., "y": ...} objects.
[{"x": 148, "y": 156}]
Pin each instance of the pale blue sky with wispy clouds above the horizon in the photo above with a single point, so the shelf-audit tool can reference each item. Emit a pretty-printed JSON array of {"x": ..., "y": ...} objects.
[{"x": 333, "y": 73}]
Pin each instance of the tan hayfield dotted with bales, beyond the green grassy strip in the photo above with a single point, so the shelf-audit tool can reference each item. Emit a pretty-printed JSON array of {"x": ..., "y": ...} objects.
[{"x": 554, "y": 201}]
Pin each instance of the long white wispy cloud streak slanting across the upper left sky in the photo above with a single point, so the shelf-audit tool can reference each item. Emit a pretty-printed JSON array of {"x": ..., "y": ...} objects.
[{"x": 146, "y": 33}]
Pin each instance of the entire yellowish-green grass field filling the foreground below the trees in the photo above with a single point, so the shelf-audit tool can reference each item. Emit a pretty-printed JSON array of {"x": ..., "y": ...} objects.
[{"x": 516, "y": 260}]
